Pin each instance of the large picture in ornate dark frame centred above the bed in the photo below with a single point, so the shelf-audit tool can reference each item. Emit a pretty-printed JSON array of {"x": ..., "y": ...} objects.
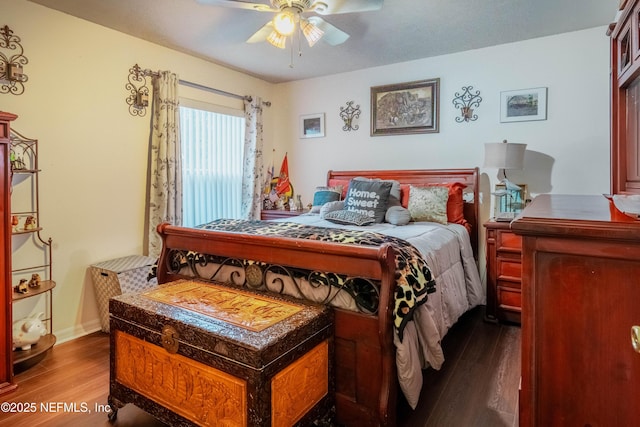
[{"x": 405, "y": 108}]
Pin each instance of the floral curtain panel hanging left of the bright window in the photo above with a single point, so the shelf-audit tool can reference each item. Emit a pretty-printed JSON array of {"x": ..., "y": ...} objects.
[{"x": 164, "y": 192}]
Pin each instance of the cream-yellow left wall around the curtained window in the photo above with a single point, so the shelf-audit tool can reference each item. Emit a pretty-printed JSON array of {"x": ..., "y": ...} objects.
[{"x": 93, "y": 153}]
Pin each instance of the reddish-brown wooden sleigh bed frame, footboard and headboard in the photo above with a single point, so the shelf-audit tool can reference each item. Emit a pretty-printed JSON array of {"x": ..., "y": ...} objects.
[{"x": 366, "y": 378}]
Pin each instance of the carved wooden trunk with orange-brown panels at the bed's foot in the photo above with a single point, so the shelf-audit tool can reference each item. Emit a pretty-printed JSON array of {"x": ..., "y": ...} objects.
[{"x": 196, "y": 353}]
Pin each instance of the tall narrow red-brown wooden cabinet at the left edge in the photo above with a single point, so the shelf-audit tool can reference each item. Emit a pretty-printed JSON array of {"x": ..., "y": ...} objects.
[{"x": 6, "y": 364}]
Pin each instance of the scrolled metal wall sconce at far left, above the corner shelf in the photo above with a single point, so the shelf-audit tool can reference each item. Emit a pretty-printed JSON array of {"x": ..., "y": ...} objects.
[{"x": 12, "y": 77}]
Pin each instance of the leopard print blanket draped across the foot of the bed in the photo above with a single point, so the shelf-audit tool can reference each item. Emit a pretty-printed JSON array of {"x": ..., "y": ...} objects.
[{"x": 413, "y": 276}]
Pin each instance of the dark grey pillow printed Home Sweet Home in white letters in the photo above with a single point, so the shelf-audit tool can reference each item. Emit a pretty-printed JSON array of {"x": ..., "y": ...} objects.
[{"x": 368, "y": 198}]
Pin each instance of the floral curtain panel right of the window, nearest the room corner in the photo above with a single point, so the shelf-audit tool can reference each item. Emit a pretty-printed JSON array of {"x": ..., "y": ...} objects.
[{"x": 253, "y": 166}]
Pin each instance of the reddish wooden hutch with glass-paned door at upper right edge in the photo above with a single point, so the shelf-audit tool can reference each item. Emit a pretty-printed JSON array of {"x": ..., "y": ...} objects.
[{"x": 625, "y": 100}]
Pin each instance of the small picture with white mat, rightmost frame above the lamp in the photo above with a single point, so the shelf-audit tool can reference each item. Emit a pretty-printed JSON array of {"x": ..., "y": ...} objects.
[{"x": 523, "y": 105}]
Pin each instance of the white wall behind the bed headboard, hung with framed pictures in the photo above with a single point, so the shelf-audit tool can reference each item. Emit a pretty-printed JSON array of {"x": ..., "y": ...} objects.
[{"x": 567, "y": 153}]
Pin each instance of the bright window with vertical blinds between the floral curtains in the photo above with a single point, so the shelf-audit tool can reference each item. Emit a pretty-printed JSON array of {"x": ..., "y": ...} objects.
[{"x": 212, "y": 158}]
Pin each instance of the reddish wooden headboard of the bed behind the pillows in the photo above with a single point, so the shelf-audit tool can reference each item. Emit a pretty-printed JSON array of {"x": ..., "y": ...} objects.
[{"x": 469, "y": 177}]
